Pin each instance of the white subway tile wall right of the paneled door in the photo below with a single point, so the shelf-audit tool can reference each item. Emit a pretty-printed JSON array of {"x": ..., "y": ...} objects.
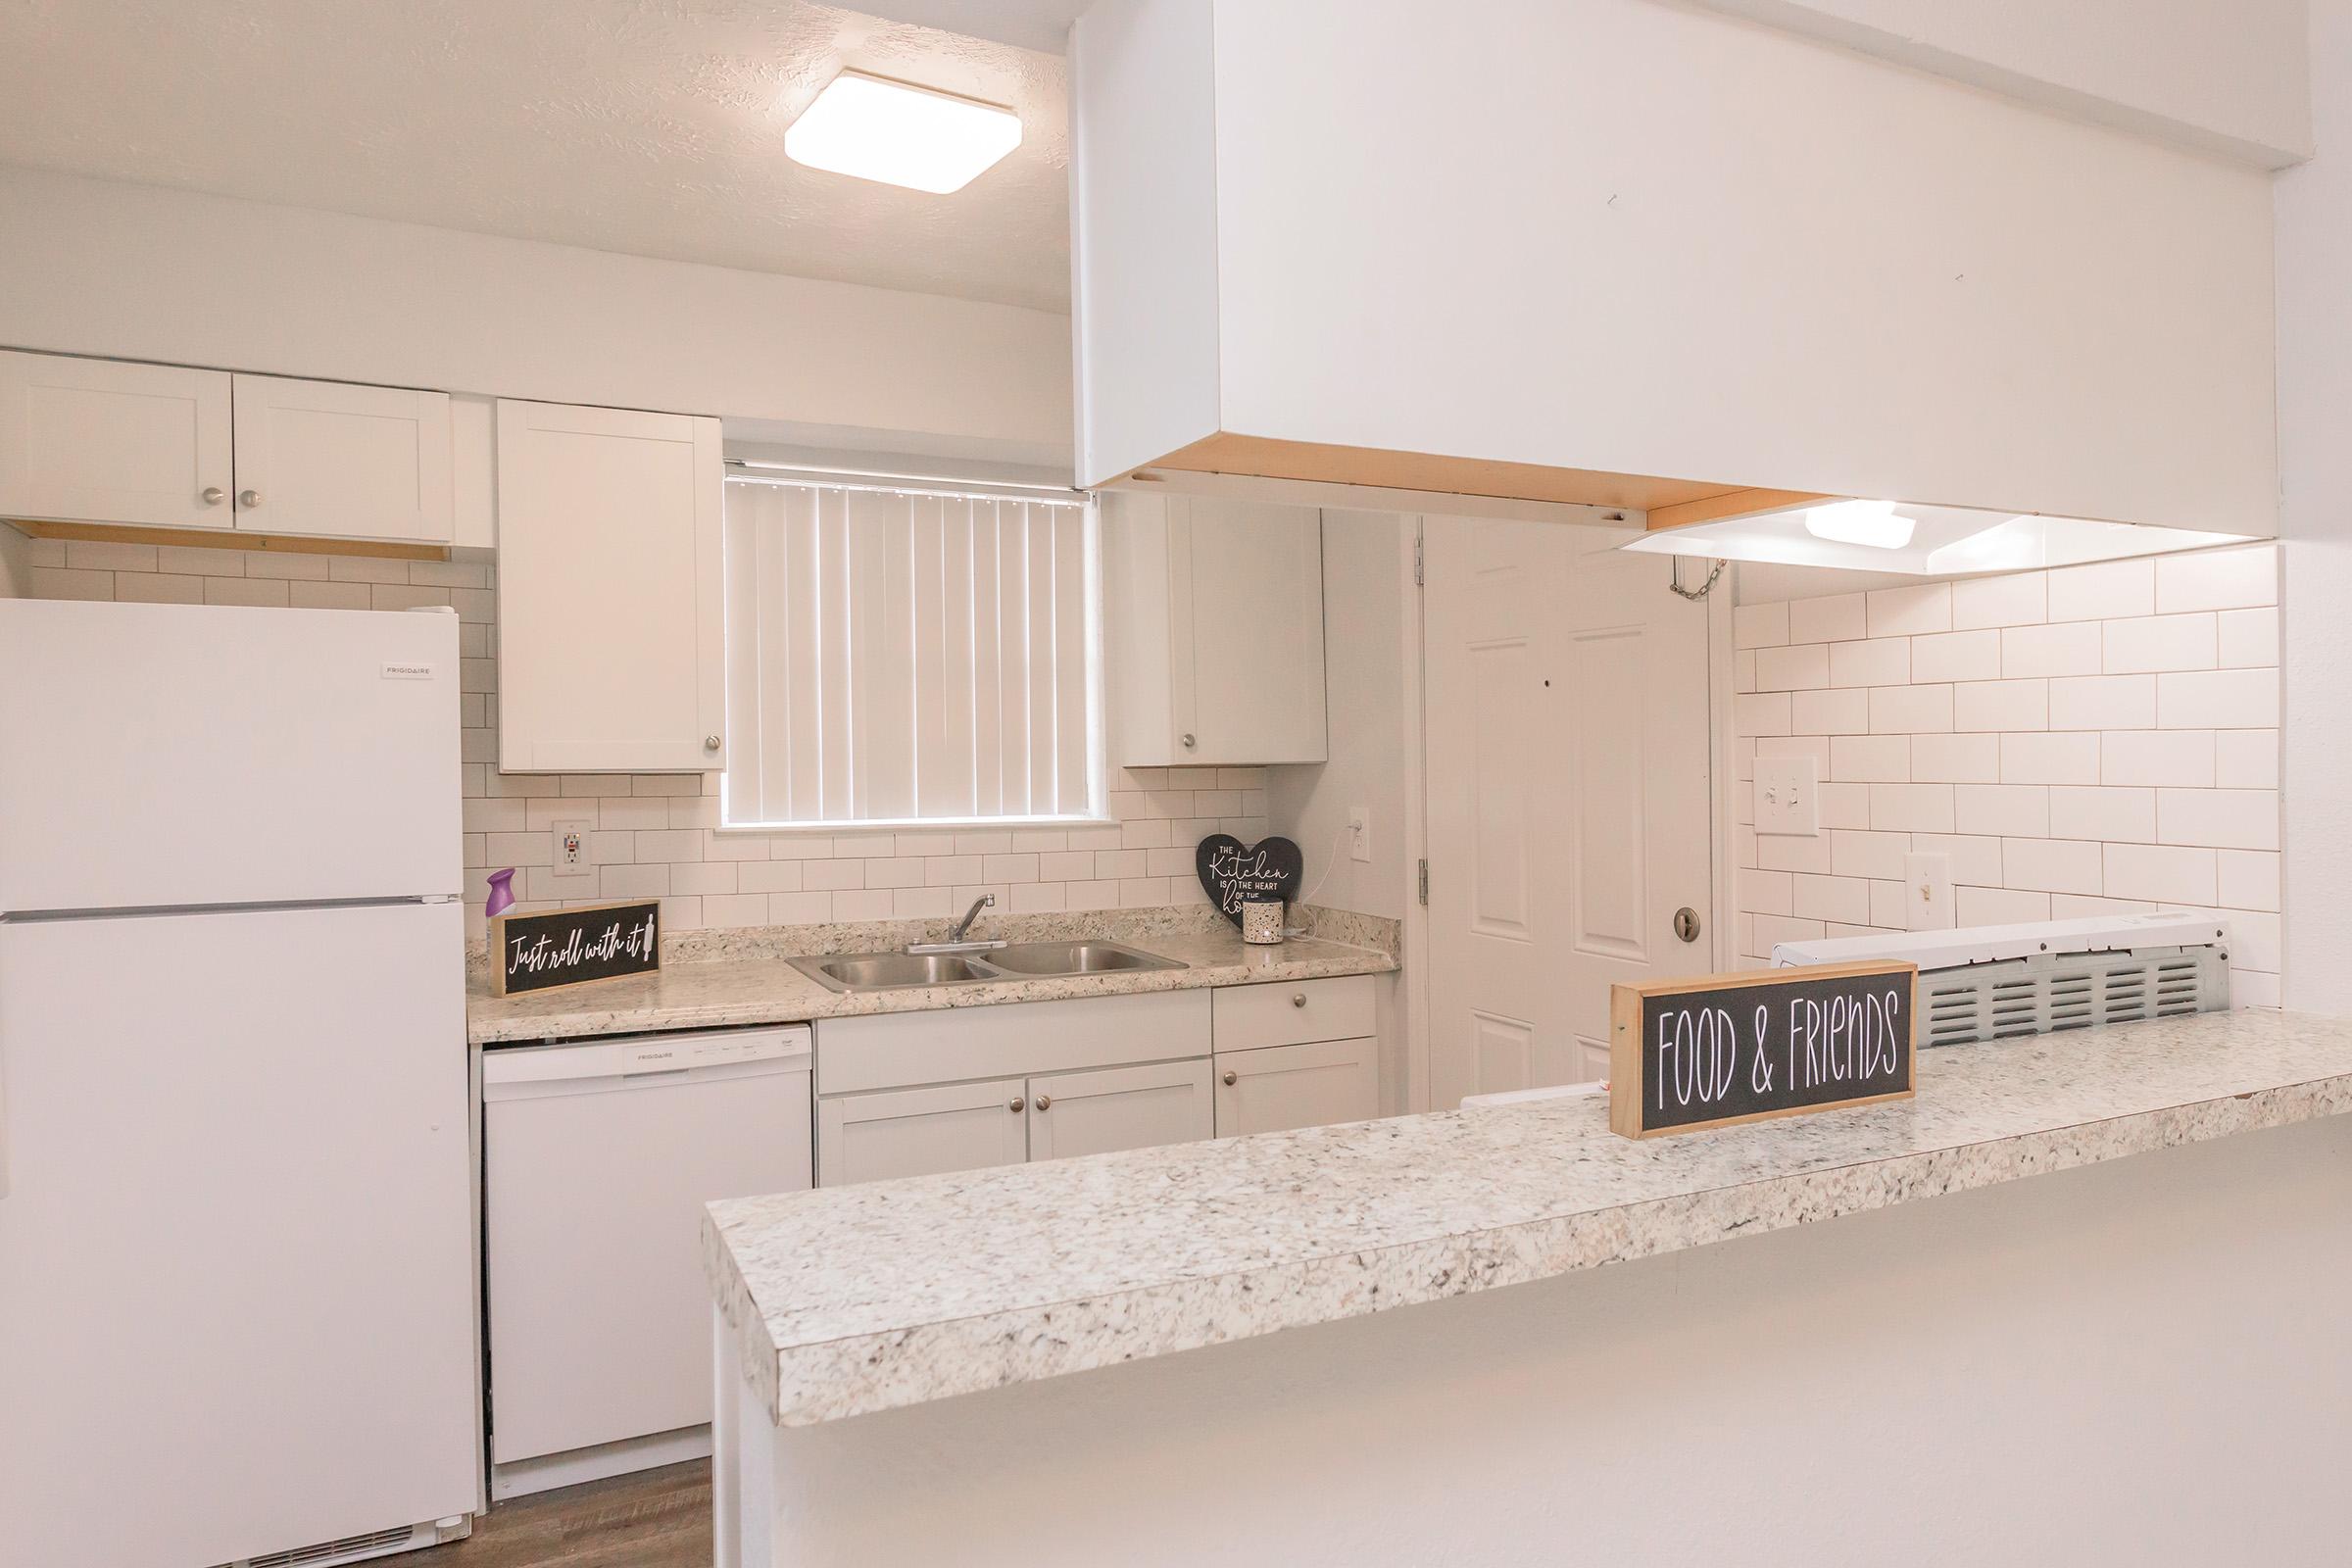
[{"x": 2080, "y": 742}]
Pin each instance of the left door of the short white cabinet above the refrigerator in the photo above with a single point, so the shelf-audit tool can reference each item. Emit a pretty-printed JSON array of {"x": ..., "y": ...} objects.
[{"x": 102, "y": 441}]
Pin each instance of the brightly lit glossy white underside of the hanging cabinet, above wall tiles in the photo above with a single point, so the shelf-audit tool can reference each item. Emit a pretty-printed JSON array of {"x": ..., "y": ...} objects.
[{"x": 1920, "y": 540}]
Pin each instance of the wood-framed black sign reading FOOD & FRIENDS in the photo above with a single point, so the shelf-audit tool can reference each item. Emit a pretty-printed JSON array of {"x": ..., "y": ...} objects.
[{"x": 1777, "y": 1043}]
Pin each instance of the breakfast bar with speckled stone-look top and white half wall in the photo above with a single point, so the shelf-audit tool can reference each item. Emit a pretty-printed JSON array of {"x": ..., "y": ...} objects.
[{"x": 888, "y": 1301}]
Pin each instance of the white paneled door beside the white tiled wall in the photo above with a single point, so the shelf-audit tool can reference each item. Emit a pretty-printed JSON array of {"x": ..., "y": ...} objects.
[{"x": 1568, "y": 796}]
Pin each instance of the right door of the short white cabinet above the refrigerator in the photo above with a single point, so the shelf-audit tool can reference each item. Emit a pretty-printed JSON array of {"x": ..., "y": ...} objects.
[{"x": 342, "y": 462}]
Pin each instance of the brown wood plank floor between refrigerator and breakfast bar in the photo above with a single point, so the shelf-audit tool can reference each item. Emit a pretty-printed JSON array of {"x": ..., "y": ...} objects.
[{"x": 653, "y": 1520}]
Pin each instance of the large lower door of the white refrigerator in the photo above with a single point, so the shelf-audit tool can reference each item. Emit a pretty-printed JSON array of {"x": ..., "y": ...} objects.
[{"x": 236, "y": 1249}]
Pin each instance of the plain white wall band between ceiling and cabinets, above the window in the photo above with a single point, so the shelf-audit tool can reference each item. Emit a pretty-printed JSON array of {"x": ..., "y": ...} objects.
[{"x": 149, "y": 274}]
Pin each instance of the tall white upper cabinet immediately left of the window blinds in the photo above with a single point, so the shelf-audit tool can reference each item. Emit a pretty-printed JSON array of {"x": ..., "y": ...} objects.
[{"x": 610, "y": 648}]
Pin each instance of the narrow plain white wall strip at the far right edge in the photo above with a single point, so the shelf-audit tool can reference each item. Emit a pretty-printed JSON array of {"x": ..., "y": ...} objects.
[{"x": 2316, "y": 521}]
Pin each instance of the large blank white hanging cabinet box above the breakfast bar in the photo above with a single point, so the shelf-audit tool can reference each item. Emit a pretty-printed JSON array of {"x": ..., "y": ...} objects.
[{"x": 1490, "y": 236}]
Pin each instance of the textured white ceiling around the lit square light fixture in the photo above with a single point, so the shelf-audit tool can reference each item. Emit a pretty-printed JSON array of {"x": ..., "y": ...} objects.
[{"x": 632, "y": 126}]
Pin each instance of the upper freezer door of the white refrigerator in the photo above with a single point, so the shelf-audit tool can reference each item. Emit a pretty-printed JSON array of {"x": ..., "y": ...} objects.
[{"x": 163, "y": 756}]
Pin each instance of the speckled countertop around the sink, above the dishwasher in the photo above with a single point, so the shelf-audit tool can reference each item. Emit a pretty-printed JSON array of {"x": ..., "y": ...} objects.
[{"x": 759, "y": 986}]
